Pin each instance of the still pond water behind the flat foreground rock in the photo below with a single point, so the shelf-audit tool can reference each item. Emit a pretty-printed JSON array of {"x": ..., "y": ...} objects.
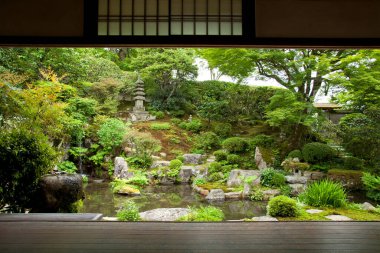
[{"x": 100, "y": 199}]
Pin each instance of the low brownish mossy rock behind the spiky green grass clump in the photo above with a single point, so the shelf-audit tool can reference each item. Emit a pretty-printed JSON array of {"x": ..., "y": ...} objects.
[{"x": 350, "y": 179}]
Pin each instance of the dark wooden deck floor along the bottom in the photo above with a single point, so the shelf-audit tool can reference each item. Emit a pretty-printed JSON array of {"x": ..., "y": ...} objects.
[{"x": 56, "y": 237}]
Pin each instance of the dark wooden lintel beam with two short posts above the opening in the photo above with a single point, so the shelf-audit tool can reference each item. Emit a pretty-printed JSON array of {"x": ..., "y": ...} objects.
[{"x": 248, "y": 39}]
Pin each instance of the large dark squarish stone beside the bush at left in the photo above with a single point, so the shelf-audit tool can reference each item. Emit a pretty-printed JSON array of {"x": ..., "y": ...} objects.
[{"x": 57, "y": 193}]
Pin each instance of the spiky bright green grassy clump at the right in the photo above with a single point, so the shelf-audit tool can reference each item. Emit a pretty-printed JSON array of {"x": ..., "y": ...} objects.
[{"x": 324, "y": 193}]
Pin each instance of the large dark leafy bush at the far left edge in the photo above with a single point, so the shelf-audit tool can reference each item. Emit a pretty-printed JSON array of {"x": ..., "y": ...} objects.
[{"x": 25, "y": 157}]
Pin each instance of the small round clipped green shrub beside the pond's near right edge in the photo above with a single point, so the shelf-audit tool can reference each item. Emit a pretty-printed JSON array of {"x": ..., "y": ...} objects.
[{"x": 282, "y": 206}]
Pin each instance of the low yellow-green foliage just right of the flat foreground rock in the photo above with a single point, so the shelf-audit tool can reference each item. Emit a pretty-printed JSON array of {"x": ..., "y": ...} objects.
[{"x": 206, "y": 214}]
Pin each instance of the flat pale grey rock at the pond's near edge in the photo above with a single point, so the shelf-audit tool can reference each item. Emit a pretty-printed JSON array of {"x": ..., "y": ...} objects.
[{"x": 164, "y": 214}]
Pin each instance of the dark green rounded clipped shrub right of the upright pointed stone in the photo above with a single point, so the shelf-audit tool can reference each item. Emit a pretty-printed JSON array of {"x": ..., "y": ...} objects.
[{"x": 317, "y": 152}]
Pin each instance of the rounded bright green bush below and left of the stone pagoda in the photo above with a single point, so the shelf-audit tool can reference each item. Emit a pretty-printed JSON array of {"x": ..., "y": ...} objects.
[{"x": 111, "y": 133}]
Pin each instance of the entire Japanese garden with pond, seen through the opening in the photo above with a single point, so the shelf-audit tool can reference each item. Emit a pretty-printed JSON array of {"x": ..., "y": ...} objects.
[{"x": 135, "y": 135}]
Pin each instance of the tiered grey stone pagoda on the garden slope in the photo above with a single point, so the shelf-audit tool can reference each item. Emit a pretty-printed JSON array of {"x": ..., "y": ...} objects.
[{"x": 138, "y": 113}]
